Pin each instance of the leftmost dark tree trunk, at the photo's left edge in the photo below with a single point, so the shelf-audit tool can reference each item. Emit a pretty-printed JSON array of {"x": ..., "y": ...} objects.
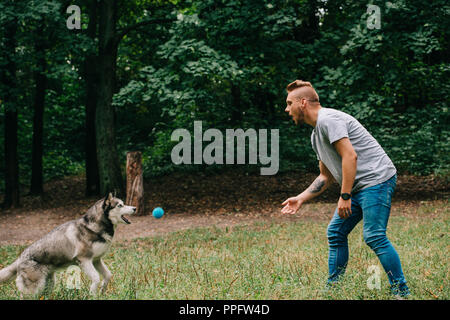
[{"x": 9, "y": 82}]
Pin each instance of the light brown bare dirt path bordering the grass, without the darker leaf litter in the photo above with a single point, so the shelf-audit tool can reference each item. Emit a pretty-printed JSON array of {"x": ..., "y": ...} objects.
[{"x": 29, "y": 227}]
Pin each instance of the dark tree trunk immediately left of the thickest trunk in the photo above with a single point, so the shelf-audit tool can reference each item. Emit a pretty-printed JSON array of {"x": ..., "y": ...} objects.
[{"x": 91, "y": 76}]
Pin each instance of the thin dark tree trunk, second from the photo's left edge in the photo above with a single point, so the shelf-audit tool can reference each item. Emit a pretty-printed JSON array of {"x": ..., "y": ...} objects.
[{"x": 38, "y": 121}]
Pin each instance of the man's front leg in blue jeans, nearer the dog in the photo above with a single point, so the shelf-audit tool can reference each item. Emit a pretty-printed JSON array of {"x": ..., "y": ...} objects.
[{"x": 337, "y": 233}]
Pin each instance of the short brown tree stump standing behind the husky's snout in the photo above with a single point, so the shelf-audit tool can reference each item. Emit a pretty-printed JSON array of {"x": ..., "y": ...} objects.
[{"x": 135, "y": 182}]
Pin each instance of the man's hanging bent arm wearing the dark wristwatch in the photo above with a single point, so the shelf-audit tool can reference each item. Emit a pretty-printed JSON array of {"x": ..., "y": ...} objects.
[{"x": 349, "y": 159}]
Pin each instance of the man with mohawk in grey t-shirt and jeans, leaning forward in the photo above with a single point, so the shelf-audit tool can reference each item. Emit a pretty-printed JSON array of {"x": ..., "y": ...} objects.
[{"x": 348, "y": 154}]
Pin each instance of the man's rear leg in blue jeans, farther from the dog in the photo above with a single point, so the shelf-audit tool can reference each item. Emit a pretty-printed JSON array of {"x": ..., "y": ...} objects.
[{"x": 376, "y": 207}]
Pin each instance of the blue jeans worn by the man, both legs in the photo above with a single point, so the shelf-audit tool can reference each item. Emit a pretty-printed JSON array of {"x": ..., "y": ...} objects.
[{"x": 373, "y": 206}]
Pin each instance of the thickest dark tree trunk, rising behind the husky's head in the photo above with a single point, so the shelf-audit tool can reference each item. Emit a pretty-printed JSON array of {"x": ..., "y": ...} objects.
[{"x": 108, "y": 161}]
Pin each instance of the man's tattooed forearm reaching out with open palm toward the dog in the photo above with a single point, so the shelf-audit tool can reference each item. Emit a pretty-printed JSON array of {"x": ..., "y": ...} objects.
[{"x": 320, "y": 184}]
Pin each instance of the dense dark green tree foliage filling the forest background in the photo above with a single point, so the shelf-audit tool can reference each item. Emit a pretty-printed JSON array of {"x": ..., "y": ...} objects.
[{"x": 227, "y": 63}]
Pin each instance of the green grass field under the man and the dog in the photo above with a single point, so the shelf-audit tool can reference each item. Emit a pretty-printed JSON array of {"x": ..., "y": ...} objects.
[{"x": 266, "y": 261}]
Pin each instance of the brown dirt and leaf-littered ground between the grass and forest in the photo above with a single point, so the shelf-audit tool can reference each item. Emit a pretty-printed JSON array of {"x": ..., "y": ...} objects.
[{"x": 198, "y": 201}]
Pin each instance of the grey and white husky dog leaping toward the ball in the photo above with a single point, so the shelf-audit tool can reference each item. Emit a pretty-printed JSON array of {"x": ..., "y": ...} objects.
[{"x": 80, "y": 242}]
